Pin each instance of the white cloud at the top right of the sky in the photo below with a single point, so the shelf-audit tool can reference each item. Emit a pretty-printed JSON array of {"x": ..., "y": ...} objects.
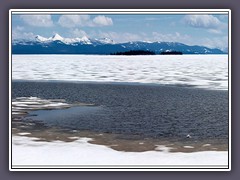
[{"x": 202, "y": 21}]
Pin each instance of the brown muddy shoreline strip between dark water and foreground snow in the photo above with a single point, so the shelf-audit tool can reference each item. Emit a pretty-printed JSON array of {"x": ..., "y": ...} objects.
[{"x": 118, "y": 142}]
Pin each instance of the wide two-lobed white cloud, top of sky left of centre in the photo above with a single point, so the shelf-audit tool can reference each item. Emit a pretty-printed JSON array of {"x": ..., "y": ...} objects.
[{"x": 83, "y": 20}]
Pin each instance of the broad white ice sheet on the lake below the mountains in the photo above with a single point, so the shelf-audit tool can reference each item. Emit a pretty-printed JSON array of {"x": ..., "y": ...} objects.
[{"x": 204, "y": 71}]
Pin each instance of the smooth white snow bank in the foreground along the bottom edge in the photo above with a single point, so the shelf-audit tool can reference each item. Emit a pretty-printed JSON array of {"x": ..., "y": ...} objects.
[{"x": 26, "y": 151}]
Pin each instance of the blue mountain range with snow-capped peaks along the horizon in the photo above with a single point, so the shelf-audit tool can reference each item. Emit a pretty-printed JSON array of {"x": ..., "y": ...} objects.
[{"x": 84, "y": 45}]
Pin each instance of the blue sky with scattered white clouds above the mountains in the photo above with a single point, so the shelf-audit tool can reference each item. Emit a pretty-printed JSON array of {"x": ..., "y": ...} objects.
[{"x": 192, "y": 29}]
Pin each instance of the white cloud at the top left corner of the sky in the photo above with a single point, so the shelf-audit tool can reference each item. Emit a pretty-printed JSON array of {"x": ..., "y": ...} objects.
[{"x": 37, "y": 20}]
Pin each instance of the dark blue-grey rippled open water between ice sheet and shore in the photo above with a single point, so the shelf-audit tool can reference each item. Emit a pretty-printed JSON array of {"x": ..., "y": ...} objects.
[{"x": 143, "y": 110}]
